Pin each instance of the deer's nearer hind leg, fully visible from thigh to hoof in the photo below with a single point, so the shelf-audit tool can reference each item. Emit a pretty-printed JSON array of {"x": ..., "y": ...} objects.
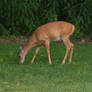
[{"x": 68, "y": 46}]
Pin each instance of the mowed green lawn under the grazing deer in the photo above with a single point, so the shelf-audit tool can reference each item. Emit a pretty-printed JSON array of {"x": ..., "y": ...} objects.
[{"x": 42, "y": 77}]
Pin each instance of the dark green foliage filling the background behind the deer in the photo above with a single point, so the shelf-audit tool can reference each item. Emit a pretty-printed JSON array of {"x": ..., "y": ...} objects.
[{"x": 22, "y": 17}]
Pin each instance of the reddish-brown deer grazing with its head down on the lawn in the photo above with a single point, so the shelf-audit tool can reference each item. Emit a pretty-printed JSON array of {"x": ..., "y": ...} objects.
[{"x": 46, "y": 33}]
